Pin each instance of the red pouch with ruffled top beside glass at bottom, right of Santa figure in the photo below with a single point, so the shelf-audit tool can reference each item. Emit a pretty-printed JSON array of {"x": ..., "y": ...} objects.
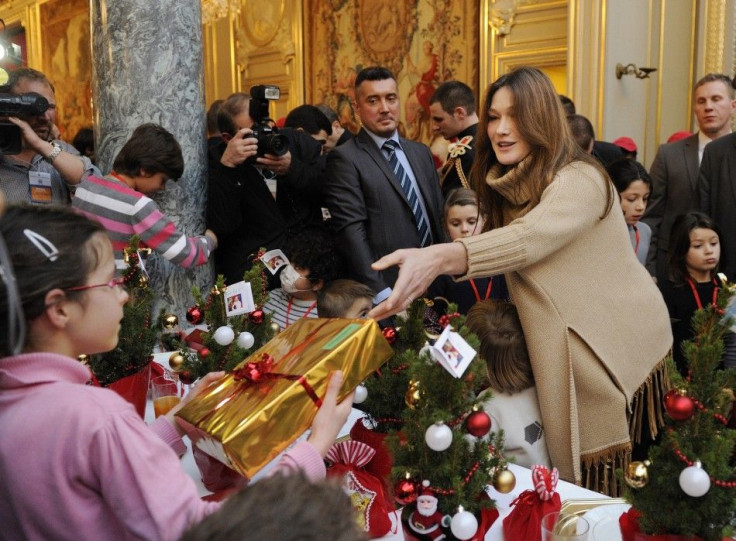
[{"x": 524, "y": 522}]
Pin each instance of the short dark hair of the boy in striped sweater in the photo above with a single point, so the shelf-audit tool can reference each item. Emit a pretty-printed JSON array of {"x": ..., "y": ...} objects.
[{"x": 152, "y": 149}]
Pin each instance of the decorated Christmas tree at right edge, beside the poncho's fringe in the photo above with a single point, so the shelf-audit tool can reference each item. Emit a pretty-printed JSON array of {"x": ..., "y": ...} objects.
[{"x": 688, "y": 485}]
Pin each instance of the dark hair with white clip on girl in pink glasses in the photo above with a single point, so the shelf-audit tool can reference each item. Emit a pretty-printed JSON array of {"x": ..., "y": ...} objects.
[{"x": 39, "y": 271}]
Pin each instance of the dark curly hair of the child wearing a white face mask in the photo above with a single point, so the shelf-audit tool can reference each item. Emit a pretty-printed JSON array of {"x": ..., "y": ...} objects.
[{"x": 315, "y": 249}]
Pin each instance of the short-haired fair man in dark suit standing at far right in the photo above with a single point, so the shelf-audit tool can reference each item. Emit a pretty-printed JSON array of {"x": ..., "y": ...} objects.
[{"x": 674, "y": 171}]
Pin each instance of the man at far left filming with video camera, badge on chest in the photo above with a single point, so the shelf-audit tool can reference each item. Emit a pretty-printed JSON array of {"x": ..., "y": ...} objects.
[{"x": 43, "y": 170}]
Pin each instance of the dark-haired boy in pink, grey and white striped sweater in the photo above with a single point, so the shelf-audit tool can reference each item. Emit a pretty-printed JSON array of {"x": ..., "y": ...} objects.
[{"x": 119, "y": 200}]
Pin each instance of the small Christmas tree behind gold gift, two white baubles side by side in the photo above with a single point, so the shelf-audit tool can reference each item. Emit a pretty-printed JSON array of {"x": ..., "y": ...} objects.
[{"x": 227, "y": 340}]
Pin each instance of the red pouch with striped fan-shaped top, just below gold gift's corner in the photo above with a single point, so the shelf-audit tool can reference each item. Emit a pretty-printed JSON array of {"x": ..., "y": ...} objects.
[{"x": 366, "y": 491}]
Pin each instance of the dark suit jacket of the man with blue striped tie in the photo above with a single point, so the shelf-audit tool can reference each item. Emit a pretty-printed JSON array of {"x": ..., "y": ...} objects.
[{"x": 369, "y": 211}]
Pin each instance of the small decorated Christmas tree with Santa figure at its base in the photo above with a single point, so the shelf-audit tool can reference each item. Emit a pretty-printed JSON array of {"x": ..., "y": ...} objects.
[{"x": 437, "y": 438}]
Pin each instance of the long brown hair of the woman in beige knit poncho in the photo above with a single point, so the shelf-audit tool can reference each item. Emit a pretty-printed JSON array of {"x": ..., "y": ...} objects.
[{"x": 542, "y": 123}]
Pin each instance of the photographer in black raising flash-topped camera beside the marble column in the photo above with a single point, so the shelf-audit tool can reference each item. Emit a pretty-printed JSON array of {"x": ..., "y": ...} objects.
[{"x": 258, "y": 184}]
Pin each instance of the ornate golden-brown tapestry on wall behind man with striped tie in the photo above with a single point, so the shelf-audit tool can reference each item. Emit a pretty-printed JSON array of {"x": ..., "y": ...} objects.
[{"x": 423, "y": 42}]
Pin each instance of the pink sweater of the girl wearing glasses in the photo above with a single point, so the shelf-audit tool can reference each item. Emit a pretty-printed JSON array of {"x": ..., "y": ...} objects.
[{"x": 76, "y": 461}]
